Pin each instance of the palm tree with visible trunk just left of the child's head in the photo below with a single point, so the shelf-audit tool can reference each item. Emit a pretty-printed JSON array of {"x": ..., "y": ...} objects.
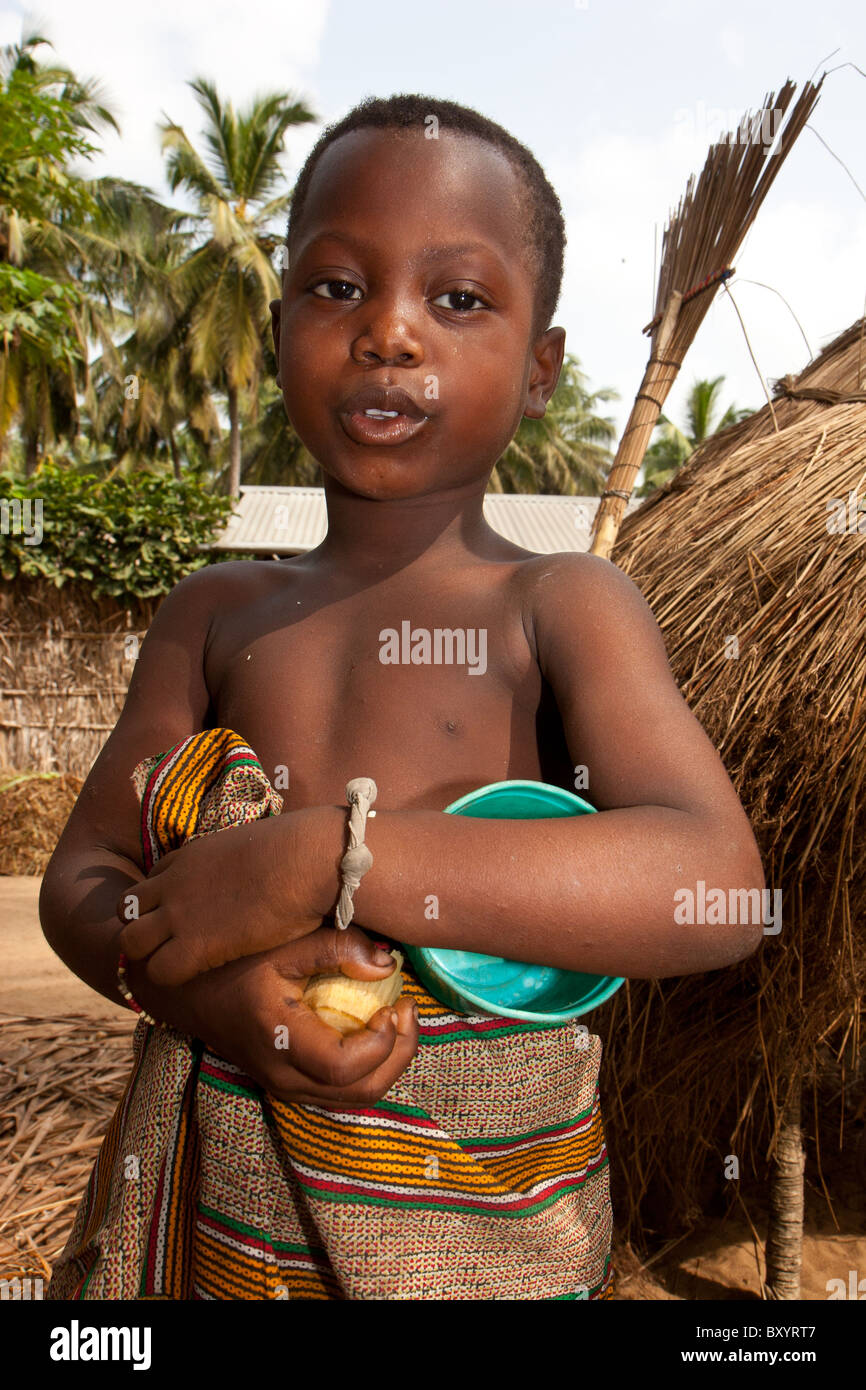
[{"x": 229, "y": 280}]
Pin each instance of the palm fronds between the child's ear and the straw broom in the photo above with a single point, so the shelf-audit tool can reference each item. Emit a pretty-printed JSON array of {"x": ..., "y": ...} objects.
[{"x": 566, "y": 452}]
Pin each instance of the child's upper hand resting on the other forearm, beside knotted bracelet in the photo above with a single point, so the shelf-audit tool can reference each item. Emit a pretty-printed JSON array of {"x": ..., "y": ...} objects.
[{"x": 226, "y": 896}]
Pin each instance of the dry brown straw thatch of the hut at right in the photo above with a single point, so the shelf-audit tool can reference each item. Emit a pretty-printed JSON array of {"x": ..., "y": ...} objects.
[{"x": 739, "y": 547}]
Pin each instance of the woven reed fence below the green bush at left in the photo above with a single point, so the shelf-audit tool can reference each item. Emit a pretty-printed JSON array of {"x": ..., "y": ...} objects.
[{"x": 66, "y": 661}]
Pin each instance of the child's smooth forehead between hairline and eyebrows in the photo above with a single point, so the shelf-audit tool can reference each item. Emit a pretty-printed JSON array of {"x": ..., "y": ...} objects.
[{"x": 401, "y": 187}]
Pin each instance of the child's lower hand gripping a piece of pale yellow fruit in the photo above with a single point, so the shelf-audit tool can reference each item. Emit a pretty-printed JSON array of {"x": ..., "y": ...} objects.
[{"x": 245, "y": 1010}]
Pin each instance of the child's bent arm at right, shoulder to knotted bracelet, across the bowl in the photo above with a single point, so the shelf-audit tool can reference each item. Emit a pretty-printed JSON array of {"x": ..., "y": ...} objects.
[{"x": 589, "y": 893}]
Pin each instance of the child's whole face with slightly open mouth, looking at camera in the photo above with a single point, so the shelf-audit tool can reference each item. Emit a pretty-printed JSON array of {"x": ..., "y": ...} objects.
[{"x": 409, "y": 272}]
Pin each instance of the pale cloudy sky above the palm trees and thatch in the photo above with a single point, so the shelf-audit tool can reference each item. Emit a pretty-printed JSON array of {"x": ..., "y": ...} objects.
[{"x": 618, "y": 99}]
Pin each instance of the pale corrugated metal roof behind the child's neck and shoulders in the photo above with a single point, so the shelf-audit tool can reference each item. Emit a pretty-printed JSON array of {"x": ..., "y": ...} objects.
[{"x": 293, "y": 521}]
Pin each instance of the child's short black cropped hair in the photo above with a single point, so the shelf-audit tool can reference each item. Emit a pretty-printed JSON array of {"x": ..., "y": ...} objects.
[{"x": 544, "y": 226}]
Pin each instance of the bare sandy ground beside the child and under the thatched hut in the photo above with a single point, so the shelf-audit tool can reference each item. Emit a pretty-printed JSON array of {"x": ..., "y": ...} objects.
[{"x": 721, "y": 1261}]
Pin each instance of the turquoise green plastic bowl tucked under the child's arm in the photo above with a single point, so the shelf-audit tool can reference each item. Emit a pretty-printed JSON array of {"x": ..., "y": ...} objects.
[{"x": 472, "y": 983}]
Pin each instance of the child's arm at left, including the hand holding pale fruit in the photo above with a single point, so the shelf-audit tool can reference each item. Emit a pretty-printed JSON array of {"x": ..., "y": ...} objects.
[{"x": 98, "y": 861}]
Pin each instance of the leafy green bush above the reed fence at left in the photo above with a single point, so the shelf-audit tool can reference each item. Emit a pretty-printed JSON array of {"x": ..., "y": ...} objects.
[{"x": 126, "y": 537}]
